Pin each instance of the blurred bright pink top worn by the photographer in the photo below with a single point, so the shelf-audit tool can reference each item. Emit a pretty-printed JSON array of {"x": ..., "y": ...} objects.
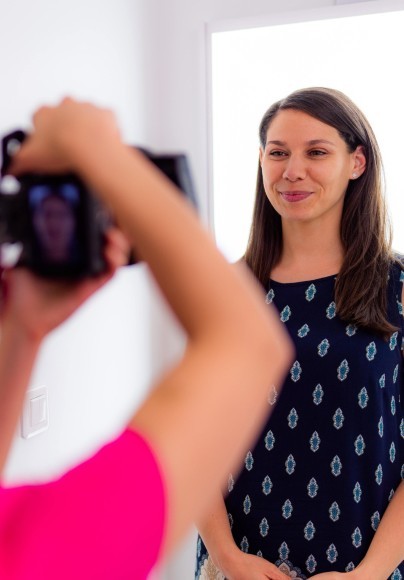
[{"x": 103, "y": 519}]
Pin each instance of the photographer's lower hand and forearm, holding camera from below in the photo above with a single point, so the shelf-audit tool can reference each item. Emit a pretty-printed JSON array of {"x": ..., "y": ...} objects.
[{"x": 32, "y": 307}]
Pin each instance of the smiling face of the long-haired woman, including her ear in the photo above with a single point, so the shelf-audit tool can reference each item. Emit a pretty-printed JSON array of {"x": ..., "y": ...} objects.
[{"x": 306, "y": 168}]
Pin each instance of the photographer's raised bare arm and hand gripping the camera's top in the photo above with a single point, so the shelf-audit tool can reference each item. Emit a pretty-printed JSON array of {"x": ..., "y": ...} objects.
[{"x": 204, "y": 412}]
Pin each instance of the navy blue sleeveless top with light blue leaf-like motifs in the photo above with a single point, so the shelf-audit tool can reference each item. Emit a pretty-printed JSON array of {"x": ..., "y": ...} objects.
[{"x": 312, "y": 491}]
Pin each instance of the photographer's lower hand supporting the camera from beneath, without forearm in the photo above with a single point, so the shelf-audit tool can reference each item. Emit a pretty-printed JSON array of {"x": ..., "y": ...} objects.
[{"x": 35, "y": 305}]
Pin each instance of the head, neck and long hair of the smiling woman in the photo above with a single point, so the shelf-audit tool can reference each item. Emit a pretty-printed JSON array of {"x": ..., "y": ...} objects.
[{"x": 328, "y": 179}]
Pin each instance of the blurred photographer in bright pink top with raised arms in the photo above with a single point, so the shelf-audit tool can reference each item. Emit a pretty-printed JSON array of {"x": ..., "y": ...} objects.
[{"x": 116, "y": 514}]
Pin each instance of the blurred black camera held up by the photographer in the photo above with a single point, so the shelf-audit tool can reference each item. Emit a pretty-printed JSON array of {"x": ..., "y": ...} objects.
[{"x": 58, "y": 222}]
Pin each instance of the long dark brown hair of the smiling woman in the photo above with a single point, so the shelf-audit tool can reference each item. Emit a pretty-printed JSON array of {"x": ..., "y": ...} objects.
[{"x": 360, "y": 289}]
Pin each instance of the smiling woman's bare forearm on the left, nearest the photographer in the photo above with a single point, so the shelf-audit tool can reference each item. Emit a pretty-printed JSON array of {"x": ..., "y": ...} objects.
[{"x": 214, "y": 529}]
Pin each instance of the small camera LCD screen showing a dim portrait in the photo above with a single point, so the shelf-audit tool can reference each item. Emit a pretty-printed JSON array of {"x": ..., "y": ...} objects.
[{"x": 58, "y": 243}]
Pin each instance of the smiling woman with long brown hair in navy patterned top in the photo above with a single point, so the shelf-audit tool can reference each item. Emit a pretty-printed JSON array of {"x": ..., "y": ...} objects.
[{"x": 328, "y": 466}]
